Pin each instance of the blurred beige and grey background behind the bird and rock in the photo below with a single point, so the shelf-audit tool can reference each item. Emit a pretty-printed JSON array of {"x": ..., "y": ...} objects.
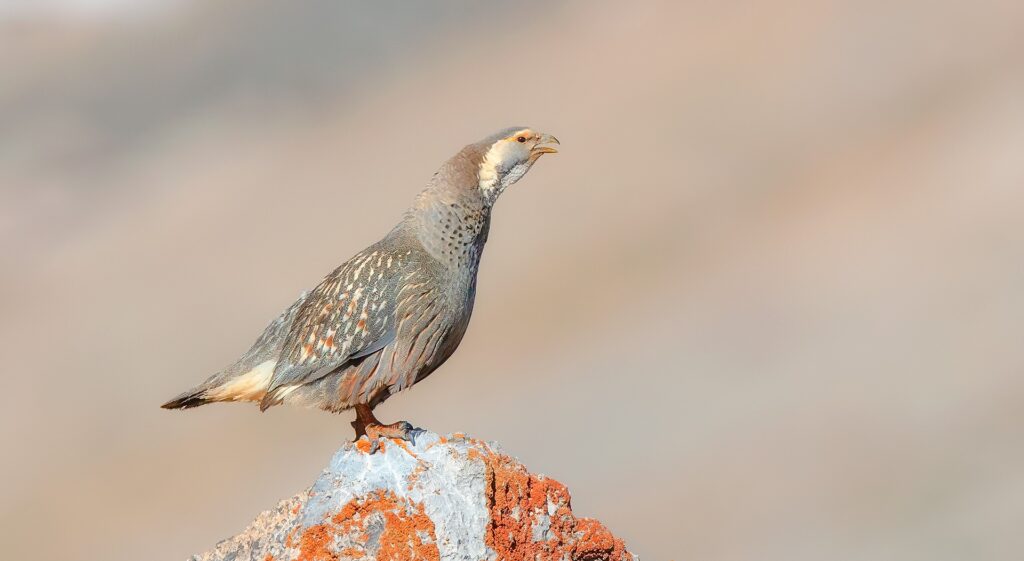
[{"x": 766, "y": 304}]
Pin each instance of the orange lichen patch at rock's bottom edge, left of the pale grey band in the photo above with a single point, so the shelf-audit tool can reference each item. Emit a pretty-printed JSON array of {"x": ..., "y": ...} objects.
[{"x": 403, "y": 532}]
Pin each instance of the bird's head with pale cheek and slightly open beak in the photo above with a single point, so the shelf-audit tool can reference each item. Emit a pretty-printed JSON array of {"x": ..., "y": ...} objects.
[{"x": 507, "y": 156}]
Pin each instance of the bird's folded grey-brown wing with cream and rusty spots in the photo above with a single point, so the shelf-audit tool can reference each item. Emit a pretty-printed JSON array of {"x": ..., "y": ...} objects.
[{"x": 351, "y": 315}]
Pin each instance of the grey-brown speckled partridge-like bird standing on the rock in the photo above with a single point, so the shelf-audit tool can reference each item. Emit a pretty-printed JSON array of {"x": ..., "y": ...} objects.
[{"x": 393, "y": 314}]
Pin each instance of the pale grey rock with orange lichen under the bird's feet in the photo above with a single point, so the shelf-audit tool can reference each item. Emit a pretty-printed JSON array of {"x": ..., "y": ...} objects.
[{"x": 441, "y": 499}]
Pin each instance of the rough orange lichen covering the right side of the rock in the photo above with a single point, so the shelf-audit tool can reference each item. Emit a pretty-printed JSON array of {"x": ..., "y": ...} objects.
[{"x": 532, "y": 520}]
